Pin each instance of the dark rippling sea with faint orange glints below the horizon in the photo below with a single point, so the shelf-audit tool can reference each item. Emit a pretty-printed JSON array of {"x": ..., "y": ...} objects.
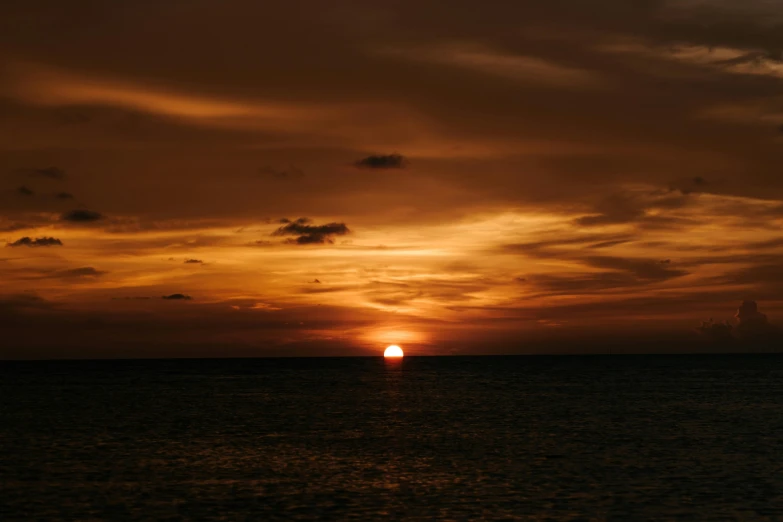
[{"x": 429, "y": 438}]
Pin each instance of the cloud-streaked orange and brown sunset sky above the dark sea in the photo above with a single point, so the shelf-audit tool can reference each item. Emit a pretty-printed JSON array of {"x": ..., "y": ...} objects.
[{"x": 239, "y": 178}]
